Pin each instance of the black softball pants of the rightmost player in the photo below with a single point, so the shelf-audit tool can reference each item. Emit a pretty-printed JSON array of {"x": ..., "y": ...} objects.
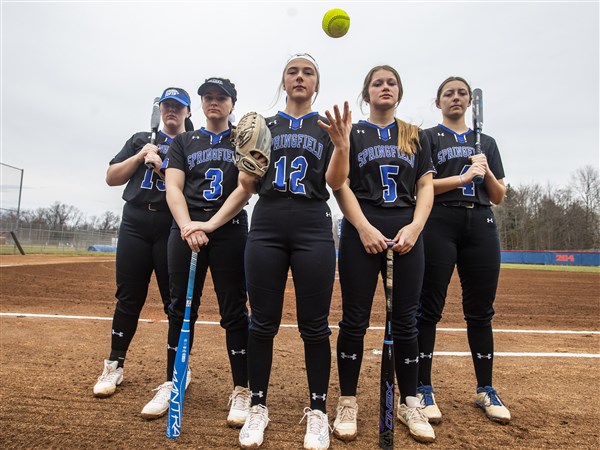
[{"x": 468, "y": 239}]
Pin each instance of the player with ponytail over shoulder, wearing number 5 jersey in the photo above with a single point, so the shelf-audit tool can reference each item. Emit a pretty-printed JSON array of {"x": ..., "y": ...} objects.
[{"x": 387, "y": 162}]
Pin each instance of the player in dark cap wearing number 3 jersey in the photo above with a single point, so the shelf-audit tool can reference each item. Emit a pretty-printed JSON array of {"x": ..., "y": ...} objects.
[{"x": 206, "y": 202}]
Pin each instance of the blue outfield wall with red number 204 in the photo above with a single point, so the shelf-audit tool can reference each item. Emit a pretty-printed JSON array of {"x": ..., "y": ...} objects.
[{"x": 559, "y": 257}]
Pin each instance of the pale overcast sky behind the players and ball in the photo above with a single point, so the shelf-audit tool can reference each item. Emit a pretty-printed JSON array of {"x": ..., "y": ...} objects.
[{"x": 79, "y": 78}]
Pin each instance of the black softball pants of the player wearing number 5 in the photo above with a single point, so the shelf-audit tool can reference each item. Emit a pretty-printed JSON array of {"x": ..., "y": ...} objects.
[{"x": 359, "y": 275}]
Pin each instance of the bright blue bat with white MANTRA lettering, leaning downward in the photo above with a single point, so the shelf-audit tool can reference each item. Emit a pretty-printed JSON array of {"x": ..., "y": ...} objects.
[{"x": 181, "y": 360}]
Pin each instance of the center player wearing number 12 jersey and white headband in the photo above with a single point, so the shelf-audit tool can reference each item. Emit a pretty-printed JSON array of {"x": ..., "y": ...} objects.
[{"x": 291, "y": 228}]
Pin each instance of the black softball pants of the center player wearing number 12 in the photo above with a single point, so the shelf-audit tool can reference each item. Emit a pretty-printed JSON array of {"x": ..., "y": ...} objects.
[{"x": 290, "y": 233}]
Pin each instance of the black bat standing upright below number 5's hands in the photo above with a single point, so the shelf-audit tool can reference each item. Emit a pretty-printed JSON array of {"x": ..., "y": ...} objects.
[{"x": 386, "y": 390}]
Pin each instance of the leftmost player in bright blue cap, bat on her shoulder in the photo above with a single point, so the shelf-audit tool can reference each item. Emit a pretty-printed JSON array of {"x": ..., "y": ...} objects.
[{"x": 144, "y": 230}]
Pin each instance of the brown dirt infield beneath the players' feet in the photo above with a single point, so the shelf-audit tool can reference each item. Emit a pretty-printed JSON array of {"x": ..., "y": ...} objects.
[{"x": 49, "y": 365}]
